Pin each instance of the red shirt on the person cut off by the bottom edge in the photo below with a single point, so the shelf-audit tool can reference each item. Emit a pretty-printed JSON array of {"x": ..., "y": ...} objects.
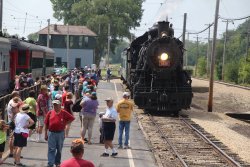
[{"x": 76, "y": 163}]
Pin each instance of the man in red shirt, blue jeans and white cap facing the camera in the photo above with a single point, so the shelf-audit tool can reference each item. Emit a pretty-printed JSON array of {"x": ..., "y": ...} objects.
[{"x": 55, "y": 123}]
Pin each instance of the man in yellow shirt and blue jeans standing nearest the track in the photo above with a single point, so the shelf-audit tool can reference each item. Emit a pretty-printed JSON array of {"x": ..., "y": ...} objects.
[{"x": 124, "y": 109}]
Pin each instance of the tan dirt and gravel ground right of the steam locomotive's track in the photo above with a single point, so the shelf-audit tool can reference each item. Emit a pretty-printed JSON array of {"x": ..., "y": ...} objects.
[{"x": 233, "y": 133}]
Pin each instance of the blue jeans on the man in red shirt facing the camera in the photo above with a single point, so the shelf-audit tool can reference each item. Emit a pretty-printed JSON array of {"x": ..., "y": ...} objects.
[{"x": 55, "y": 144}]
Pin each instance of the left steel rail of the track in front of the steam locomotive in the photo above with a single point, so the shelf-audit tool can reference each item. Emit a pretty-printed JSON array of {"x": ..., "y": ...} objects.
[{"x": 167, "y": 140}]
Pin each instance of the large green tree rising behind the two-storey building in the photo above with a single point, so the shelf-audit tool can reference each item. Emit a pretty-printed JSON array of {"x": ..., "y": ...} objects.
[{"x": 122, "y": 15}]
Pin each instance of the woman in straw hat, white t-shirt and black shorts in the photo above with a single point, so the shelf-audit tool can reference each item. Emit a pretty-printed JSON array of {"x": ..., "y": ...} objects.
[{"x": 21, "y": 132}]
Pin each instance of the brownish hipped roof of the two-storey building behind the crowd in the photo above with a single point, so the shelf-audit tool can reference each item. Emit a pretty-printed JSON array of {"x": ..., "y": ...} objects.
[{"x": 63, "y": 30}]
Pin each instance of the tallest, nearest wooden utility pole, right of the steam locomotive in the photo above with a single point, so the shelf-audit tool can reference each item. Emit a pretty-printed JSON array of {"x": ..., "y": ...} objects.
[{"x": 211, "y": 81}]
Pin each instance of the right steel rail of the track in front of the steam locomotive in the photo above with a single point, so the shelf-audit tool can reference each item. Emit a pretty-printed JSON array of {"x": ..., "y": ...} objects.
[{"x": 228, "y": 158}]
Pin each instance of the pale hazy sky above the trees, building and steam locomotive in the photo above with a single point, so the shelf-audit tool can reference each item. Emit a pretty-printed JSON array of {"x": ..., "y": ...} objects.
[{"x": 199, "y": 13}]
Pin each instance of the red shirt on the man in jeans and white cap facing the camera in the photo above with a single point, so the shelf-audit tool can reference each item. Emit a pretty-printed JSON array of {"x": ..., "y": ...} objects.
[{"x": 57, "y": 121}]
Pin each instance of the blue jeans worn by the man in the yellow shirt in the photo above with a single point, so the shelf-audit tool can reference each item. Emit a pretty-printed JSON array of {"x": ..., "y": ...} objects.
[{"x": 124, "y": 125}]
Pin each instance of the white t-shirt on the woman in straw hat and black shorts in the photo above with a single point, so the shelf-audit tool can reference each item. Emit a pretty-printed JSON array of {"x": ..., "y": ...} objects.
[{"x": 21, "y": 121}]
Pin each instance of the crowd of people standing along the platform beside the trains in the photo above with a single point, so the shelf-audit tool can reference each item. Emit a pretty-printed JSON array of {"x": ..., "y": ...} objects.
[{"x": 52, "y": 112}]
